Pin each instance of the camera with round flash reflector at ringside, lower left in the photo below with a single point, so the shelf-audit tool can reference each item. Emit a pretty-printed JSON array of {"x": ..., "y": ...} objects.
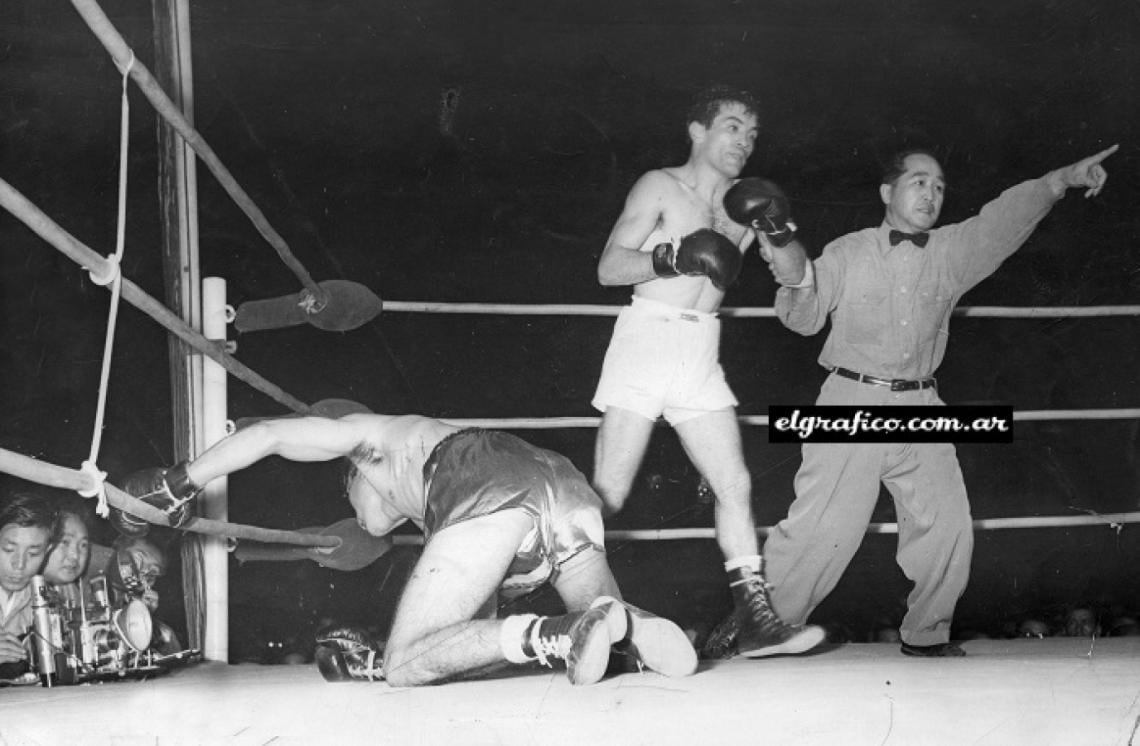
[{"x": 88, "y": 637}]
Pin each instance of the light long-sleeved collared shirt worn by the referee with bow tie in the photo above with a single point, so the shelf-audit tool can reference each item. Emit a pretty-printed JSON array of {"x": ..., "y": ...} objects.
[{"x": 891, "y": 306}]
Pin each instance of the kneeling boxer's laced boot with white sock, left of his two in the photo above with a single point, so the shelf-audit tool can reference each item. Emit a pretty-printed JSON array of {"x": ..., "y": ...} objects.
[{"x": 582, "y": 639}]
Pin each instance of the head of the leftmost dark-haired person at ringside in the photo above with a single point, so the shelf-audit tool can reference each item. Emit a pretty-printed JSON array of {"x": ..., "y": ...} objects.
[{"x": 28, "y": 531}]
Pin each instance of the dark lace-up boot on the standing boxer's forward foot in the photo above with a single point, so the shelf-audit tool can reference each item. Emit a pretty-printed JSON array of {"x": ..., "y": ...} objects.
[{"x": 761, "y": 633}]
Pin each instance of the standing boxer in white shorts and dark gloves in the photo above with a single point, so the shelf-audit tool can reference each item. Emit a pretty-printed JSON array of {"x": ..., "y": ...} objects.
[{"x": 680, "y": 250}]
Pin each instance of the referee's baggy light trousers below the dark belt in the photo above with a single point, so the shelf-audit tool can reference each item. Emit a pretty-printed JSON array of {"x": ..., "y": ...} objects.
[{"x": 837, "y": 488}]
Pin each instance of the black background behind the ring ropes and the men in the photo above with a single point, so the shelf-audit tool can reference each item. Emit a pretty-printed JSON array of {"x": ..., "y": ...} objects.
[{"x": 328, "y": 113}]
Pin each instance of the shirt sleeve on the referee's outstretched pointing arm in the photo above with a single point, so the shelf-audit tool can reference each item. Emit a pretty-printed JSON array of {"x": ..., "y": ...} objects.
[{"x": 978, "y": 247}]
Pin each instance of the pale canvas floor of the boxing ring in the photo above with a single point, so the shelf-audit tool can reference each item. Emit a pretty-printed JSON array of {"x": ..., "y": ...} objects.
[{"x": 1006, "y": 693}]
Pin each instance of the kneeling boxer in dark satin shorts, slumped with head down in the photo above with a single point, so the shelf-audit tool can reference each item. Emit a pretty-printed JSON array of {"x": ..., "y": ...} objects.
[{"x": 498, "y": 515}]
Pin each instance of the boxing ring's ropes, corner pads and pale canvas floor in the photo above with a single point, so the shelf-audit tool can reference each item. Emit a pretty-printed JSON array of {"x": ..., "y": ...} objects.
[{"x": 850, "y": 694}]
